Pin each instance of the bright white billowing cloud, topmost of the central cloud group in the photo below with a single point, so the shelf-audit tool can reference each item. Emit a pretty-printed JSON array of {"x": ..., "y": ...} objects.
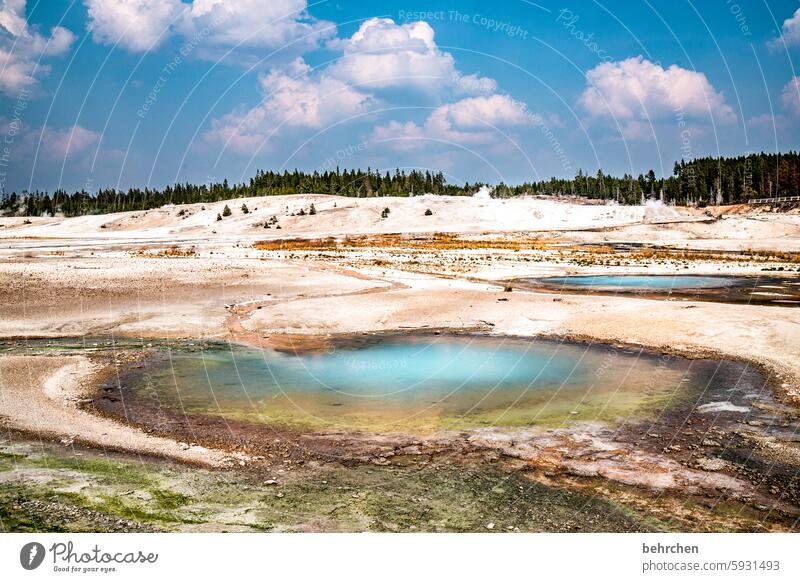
[{"x": 382, "y": 55}]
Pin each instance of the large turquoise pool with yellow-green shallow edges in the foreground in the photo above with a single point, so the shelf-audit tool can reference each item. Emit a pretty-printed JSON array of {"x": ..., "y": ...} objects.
[{"x": 426, "y": 383}]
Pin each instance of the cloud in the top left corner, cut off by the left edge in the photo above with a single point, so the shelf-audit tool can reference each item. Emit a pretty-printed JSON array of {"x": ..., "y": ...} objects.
[{"x": 22, "y": 48}]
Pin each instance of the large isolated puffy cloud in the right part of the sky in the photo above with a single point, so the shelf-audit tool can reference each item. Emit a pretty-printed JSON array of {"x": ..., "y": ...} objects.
[{"x": 636, "y": 91}]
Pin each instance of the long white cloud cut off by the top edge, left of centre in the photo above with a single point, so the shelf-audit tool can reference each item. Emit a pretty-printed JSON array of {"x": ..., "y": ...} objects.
[{"x": 140, "y": 25}]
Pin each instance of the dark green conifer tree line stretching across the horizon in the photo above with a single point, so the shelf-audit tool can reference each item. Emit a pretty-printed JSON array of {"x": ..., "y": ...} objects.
[{"x": 697, "y": 182}]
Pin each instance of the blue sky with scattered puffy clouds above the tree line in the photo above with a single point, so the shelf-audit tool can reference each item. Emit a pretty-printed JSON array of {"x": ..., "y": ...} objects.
[{"x": 144, "y": 93}]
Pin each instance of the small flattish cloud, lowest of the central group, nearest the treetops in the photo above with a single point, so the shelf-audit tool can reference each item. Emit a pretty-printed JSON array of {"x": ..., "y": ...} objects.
[{"x": 473, "y": 121}]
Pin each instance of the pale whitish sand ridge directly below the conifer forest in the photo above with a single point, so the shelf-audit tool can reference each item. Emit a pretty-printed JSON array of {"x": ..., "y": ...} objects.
[{"x": 338, "y": 216}]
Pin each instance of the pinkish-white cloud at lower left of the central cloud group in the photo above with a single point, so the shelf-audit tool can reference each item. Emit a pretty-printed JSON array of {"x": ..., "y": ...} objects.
[{"x": 293, "y": 98}]
